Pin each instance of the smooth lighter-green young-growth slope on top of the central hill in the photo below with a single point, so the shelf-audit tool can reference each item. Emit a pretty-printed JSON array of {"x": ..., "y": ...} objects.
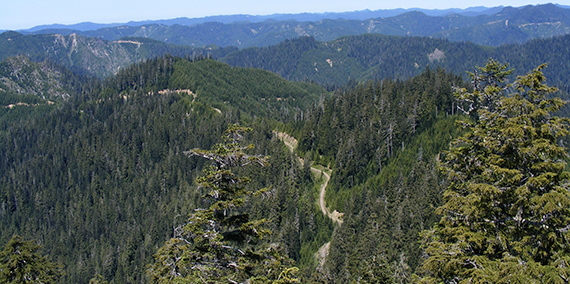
[{"x": 254, "y": 92}]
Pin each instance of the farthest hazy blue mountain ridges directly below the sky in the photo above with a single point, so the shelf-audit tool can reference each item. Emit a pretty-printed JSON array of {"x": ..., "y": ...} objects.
[{"x": 509, "y": 25}]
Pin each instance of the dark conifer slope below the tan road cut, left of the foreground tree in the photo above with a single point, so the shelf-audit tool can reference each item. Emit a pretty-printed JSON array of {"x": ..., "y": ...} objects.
[{"x": 91, "y": 188}]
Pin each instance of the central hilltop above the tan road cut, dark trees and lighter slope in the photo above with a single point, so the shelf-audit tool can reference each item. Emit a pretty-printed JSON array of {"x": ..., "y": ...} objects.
[{"x": 252, "y": 92}]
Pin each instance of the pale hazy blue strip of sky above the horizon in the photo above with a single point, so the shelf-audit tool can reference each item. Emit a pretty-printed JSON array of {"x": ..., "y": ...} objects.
[{"x": 23, "y": 14}]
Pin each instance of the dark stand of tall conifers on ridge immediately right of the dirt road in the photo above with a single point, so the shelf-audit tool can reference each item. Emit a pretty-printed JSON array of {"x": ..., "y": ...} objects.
[{"x": 374, "y": 120}]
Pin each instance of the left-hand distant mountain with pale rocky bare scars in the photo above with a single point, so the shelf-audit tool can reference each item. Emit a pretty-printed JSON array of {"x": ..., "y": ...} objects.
[{"x": 93, "y": 56}]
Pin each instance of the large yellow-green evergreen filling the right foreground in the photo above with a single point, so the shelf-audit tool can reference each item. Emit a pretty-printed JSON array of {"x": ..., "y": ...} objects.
[{"x": 507, "y": 210}]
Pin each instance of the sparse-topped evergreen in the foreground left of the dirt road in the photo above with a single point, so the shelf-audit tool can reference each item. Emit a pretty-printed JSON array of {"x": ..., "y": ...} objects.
[{"x": 221, "y": 244}]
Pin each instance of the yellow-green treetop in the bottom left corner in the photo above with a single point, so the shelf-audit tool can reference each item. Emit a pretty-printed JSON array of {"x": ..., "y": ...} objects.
[{"x": 20, "y": 262}]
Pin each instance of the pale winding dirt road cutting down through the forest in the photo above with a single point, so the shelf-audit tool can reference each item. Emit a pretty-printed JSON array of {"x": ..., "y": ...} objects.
[{"x": 324, "y": 174}]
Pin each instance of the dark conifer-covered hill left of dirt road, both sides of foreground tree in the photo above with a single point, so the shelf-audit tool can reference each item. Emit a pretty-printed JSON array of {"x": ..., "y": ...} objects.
[{"x": 101, "y": 180}]
